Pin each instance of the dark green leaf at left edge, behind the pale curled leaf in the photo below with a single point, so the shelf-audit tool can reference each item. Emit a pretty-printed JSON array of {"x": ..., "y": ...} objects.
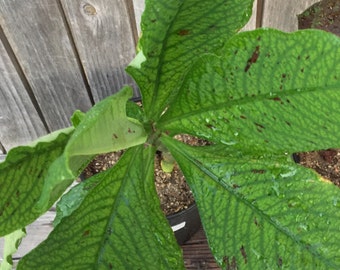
[{"x": 22, "y": 177}]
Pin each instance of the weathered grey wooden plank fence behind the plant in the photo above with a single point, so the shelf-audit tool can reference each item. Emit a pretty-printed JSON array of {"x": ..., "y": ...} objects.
[{"x": 60, "y": 55}]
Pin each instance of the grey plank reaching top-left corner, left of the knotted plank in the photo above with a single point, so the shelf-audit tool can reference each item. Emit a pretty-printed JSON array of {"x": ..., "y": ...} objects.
[{"x": 37, "y": 34}]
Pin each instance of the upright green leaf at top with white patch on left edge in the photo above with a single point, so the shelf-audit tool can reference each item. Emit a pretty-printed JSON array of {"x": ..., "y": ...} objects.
[{"x": 174, "y": 34}]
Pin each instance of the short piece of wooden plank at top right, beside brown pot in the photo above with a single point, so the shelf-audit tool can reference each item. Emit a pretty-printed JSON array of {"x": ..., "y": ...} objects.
[{"x": 283, "y": 14}]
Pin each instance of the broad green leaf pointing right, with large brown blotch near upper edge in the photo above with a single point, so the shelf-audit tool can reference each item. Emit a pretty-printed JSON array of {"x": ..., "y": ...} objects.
[{"x": 271, "y": 91}]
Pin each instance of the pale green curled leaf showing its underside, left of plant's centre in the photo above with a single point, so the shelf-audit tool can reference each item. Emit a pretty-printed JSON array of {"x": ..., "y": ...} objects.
[{"x": 105, "y": 128}]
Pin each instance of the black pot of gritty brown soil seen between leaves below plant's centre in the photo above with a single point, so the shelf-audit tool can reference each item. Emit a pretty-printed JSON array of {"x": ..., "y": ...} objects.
[{"x": 176, "y": 198}]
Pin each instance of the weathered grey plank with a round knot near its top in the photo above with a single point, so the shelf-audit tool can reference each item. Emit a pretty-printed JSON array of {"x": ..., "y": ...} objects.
[{"x": 104, "y": 39}]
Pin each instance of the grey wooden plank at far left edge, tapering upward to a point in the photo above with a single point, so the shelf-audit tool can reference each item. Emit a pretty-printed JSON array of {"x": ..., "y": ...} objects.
[{"x": 19, "y": 121}]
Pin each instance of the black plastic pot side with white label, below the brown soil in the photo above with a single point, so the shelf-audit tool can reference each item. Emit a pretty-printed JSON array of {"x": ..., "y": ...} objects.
[{"x": 185, "y": 223}]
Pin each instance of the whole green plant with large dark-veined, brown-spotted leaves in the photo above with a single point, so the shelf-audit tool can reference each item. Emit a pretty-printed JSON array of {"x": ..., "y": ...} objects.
[{"x": 257, "y": 96}]
